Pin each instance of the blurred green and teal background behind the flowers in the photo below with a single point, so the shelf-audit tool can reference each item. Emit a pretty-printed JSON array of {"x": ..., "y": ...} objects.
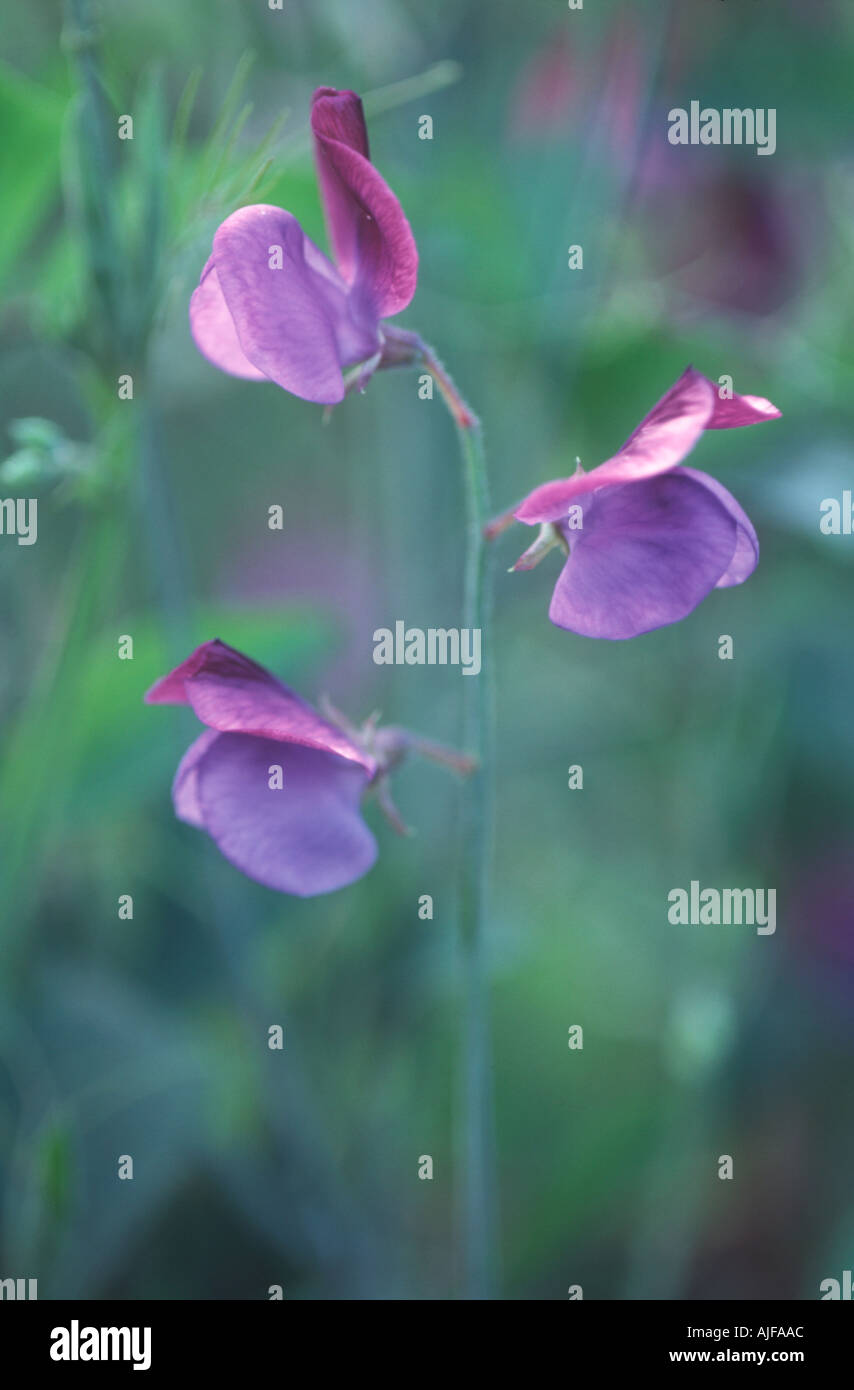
[{"x": 150, "y": 1036}]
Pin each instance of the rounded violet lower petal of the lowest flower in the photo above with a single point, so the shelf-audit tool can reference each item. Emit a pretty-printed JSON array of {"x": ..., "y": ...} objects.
[{"x": 307, "y": 837}]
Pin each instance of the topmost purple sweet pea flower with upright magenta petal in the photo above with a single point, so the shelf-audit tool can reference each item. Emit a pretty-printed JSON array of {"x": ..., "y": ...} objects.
[{"x": 271, "y": 306}]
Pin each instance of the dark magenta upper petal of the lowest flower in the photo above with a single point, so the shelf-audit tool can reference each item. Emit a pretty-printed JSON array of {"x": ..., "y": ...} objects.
[{"x": 236, "y": 696}]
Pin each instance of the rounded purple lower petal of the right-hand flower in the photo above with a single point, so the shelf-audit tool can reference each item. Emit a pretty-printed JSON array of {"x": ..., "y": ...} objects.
[{"x": 646, "y": 557}]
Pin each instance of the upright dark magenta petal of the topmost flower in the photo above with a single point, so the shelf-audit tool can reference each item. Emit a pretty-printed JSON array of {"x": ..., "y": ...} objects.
[{"x": 372, "y": 240}]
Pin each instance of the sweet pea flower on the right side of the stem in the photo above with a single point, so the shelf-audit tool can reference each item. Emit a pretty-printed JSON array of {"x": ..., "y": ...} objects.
[{"x": 646, "y": 539}]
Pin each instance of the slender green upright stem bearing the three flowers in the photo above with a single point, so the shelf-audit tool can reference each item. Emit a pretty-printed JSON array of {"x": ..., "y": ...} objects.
[{"x": 476, "y": 836}]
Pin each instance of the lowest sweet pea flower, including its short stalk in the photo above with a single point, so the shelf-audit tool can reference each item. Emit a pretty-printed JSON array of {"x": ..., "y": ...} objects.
[{"x": 305, "y": 836}]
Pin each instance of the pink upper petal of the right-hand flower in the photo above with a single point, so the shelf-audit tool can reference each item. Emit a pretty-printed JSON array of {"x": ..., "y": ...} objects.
[{"x": 661, "y": 443}]
